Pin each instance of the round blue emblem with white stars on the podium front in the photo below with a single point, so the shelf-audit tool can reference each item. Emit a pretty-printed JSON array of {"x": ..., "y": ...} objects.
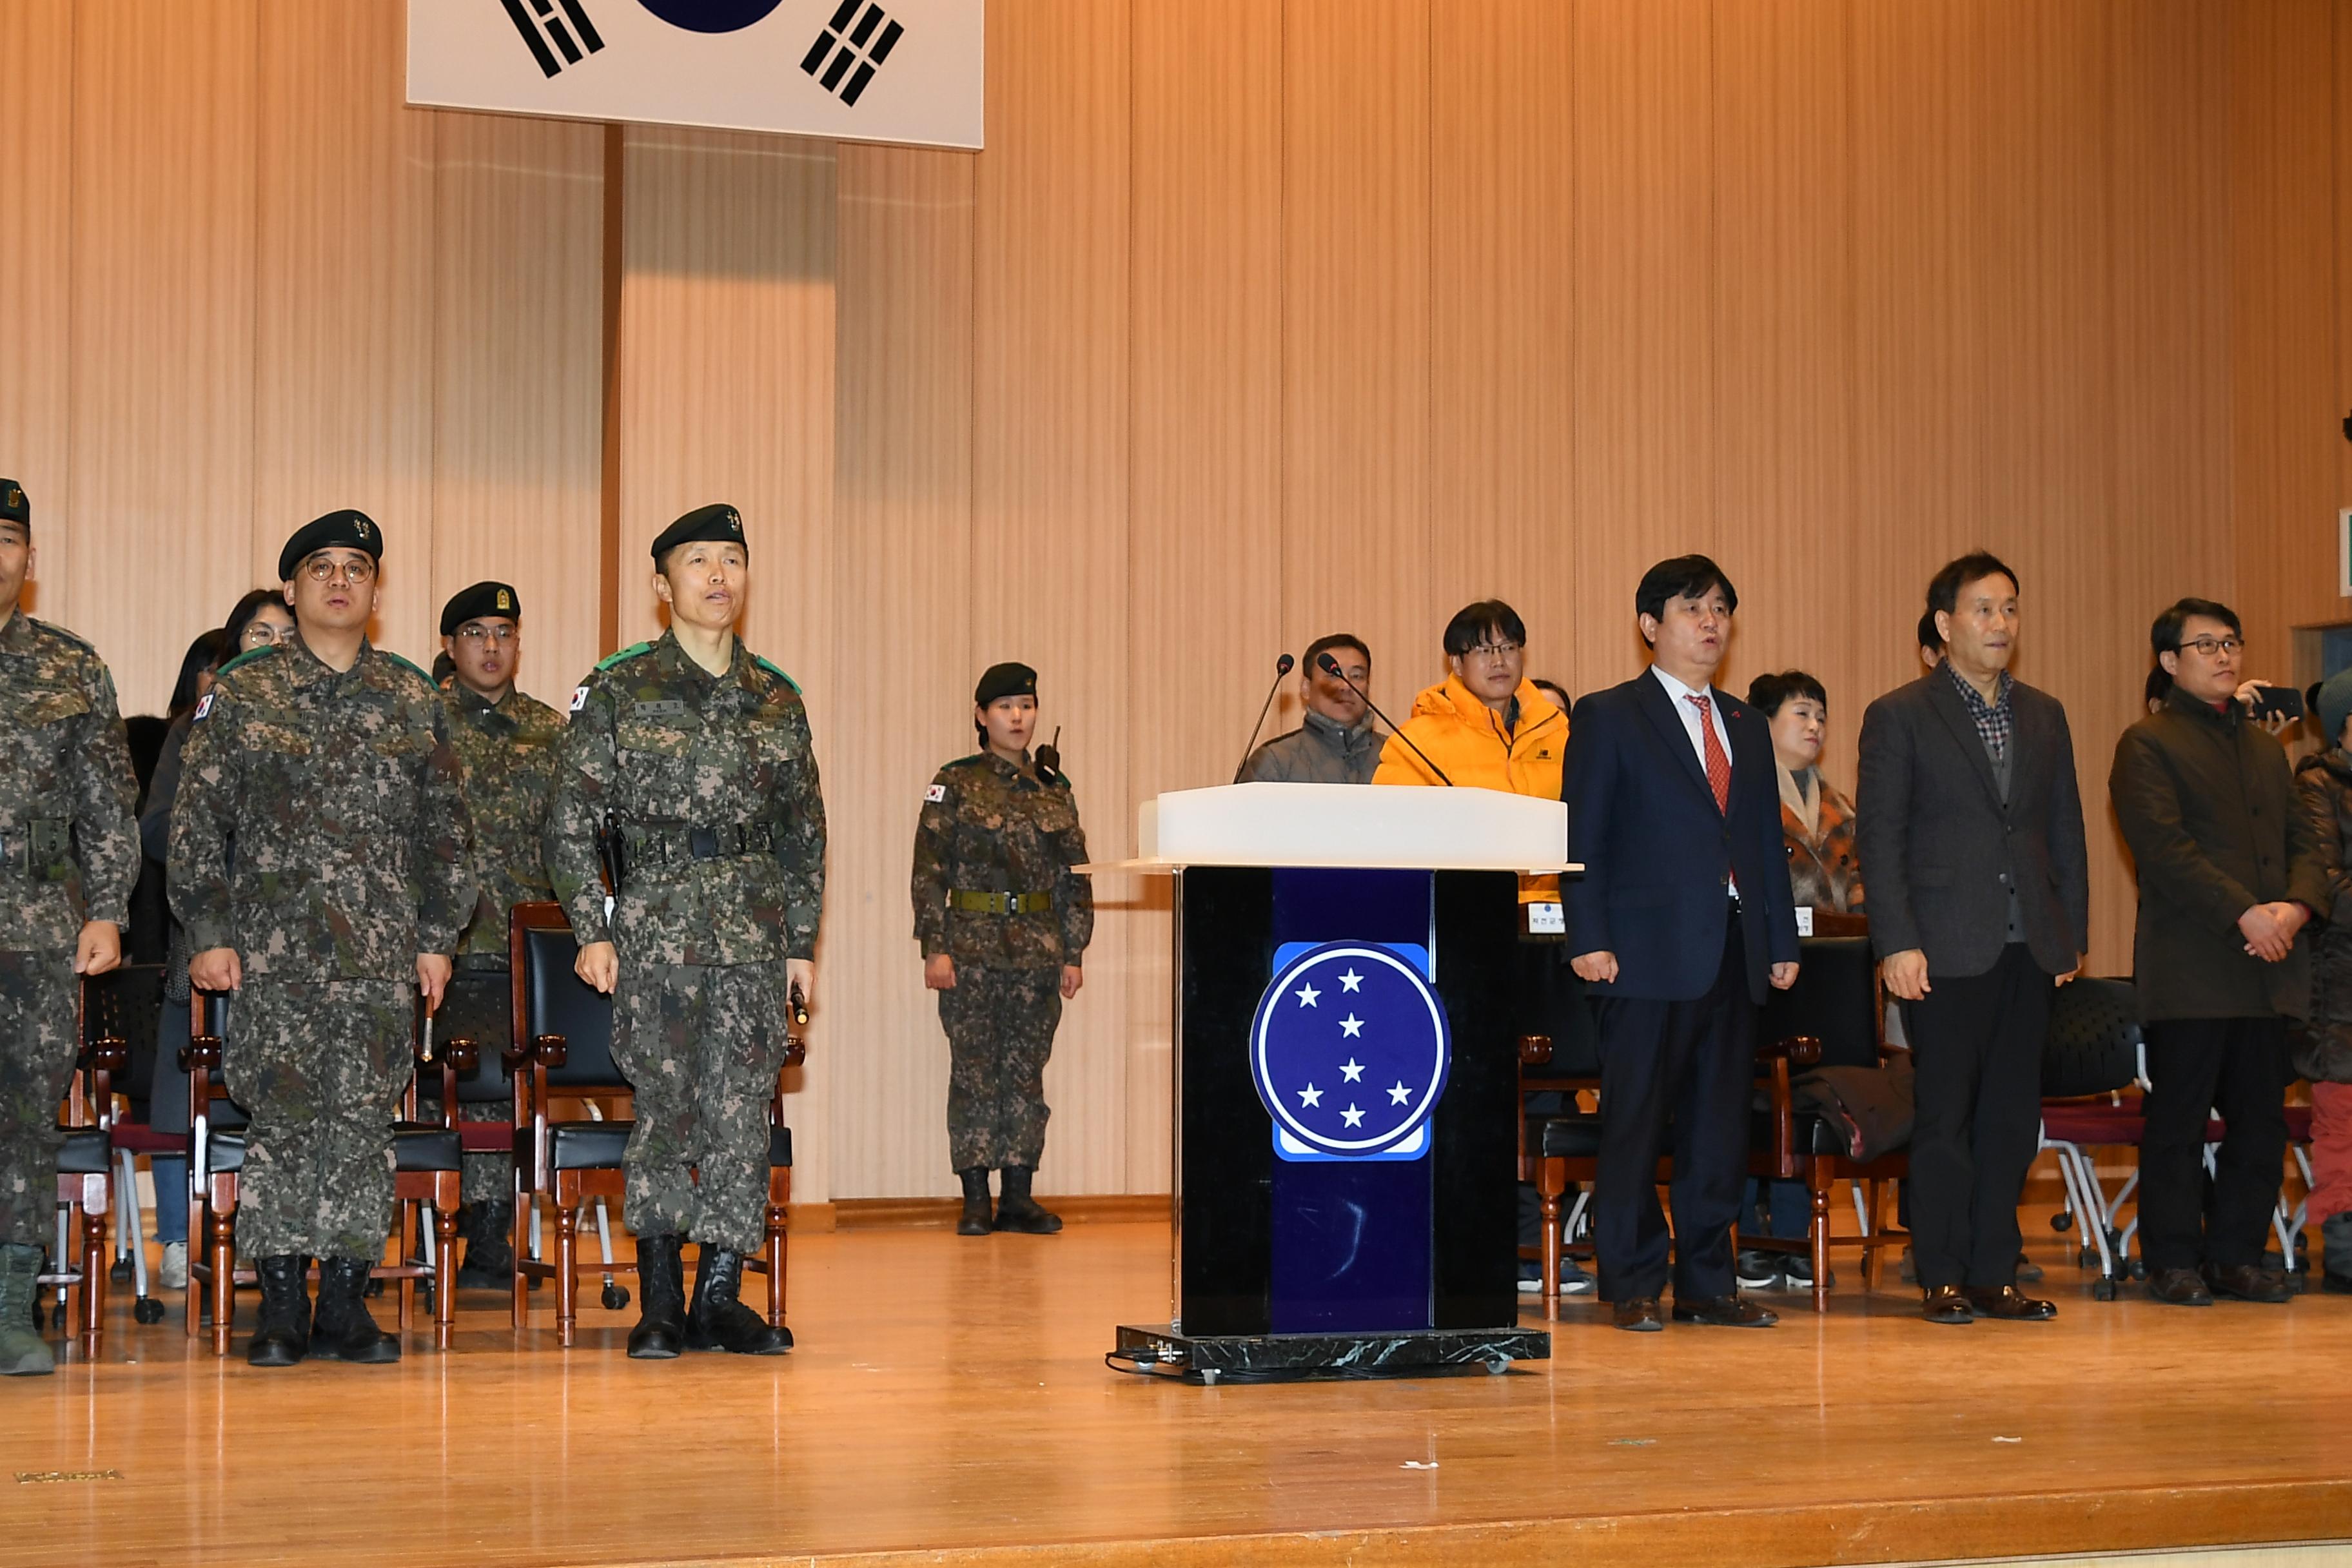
[{"x": 1349, "y": 1052}]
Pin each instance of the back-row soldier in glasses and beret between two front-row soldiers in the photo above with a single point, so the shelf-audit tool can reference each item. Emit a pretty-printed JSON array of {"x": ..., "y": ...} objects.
[{"x": 507, "y": 751}]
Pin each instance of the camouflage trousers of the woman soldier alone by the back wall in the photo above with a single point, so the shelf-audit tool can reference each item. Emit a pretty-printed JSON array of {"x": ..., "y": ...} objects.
[{"x": 1001, "y": 1033}]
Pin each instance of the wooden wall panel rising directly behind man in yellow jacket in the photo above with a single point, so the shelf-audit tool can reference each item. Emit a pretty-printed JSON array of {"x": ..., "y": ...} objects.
[{"x": 1502, "y": 321}]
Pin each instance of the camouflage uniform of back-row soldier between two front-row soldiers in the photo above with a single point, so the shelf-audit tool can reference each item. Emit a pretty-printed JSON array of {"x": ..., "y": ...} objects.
[{"x": 507, "y": 770}]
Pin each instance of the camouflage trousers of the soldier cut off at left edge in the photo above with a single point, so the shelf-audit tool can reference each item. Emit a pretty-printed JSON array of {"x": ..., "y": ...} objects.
[{"x": 36, "y": 1066}]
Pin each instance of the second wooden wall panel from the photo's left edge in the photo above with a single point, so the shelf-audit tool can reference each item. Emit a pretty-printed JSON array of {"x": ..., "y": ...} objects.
[{"x": 163, "y": 335}]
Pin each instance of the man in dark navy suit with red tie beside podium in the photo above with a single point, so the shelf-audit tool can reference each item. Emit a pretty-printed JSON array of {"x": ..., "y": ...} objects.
[{"x": 1678, "y": 925}]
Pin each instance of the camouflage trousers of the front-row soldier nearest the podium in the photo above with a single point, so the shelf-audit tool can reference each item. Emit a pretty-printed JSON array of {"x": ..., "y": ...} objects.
[{"x": 702, "y": 1047}]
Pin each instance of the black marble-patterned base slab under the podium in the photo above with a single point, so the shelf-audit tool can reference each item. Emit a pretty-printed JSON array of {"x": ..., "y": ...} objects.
[{"x": 1264, "y": 1358}]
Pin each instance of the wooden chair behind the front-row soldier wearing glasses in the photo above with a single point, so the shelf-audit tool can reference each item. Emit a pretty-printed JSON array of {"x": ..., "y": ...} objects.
[{"x": 425, "y": 1177}]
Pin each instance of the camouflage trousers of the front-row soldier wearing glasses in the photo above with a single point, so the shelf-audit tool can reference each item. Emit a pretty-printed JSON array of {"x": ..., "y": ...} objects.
[{"x": 319, "y": 1066}]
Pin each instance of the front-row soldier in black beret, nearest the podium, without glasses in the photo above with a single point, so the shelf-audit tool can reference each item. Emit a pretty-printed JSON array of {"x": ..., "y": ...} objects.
[{"x": 697, "y": 758}]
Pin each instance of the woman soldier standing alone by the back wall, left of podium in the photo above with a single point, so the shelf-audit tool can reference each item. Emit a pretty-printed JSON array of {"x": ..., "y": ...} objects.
[{"x": 1003, "y": 923}]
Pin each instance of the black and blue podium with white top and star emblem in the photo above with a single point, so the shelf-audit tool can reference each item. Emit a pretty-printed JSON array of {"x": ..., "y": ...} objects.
[{"x": 1344, "y": 1078}]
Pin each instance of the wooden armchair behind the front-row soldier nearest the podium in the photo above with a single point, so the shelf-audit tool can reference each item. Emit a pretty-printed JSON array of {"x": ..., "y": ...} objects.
[{"x": 563, "y": 1052}]
